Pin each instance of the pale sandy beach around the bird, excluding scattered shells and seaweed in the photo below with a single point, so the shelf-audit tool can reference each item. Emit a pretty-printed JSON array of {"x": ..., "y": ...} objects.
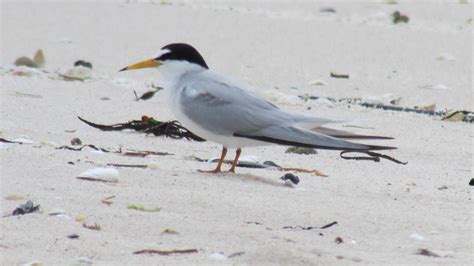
[{"x": 386, "y": 213}]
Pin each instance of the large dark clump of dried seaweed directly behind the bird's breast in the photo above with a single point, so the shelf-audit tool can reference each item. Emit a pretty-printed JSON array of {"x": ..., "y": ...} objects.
[{"x": 172, "y": 129}]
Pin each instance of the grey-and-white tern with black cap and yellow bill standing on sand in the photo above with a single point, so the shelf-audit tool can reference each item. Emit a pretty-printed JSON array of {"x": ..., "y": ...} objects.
[{"x": 226, "y": 112}]
